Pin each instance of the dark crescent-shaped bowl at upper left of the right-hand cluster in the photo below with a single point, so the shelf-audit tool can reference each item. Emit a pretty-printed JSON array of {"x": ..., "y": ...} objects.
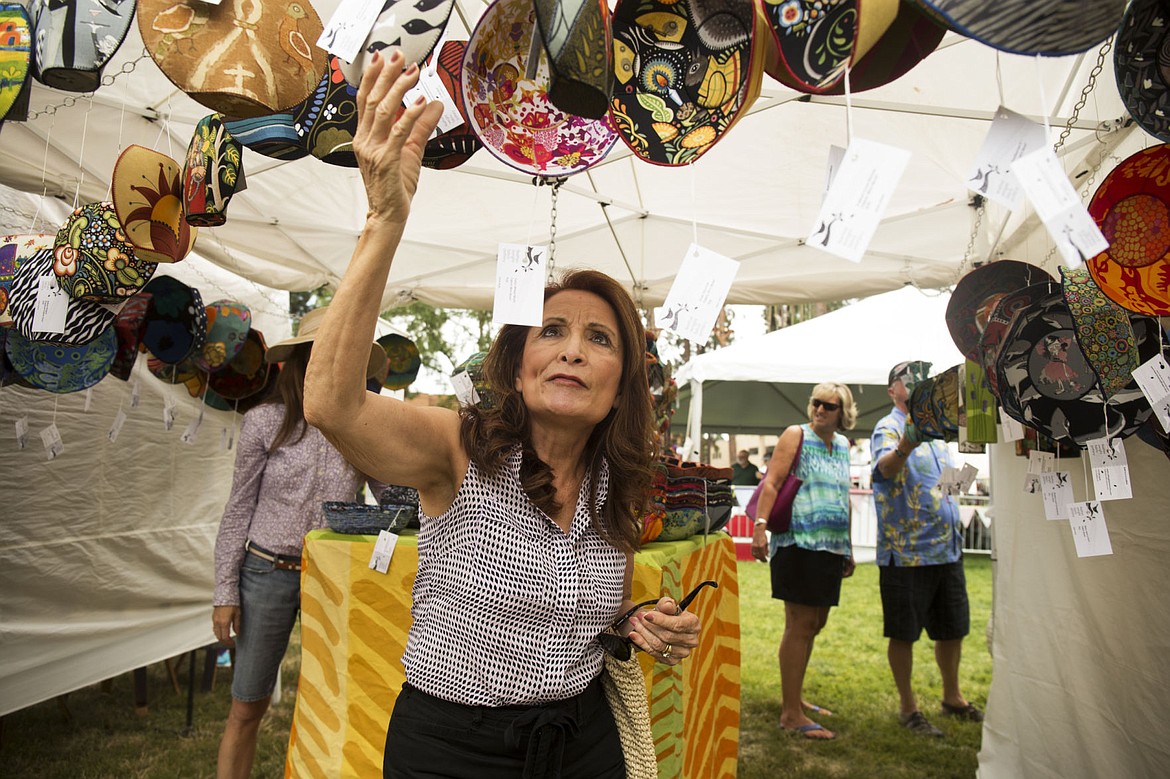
[{"x": 976, "y": 295}]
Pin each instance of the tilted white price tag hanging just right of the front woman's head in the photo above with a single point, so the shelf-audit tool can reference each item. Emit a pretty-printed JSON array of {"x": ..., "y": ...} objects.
[{"x": 698, "y": 294}]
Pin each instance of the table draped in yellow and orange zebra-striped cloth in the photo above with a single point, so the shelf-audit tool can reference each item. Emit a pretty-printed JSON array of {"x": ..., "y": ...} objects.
[{"x": 354, "y": 626}]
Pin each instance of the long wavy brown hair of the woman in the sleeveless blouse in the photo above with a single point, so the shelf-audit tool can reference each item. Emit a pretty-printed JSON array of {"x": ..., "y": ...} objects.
[{"x": 624, "y": 438}]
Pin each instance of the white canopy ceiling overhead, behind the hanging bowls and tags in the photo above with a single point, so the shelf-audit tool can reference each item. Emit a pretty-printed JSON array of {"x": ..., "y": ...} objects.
[{"x": 753, "y": 198}]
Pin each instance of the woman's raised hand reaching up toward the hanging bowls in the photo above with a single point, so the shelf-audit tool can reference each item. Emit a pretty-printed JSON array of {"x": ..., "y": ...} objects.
[{"x": 389, "y": 147}]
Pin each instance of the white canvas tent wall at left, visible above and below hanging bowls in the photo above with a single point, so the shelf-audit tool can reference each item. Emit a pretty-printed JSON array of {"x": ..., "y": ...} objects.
[{"x": 107, "y": 551}]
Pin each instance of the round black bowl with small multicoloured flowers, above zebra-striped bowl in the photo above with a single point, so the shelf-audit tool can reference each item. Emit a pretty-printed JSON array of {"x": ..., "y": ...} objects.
[{"x": 93, "y": 259}]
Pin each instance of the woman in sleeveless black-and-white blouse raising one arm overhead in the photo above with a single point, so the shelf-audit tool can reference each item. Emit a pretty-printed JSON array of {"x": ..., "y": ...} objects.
[{"x": 531, "y": 512}]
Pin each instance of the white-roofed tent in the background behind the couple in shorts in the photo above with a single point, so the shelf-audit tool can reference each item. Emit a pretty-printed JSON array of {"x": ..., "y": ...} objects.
[{"x": 762, "y": 385}]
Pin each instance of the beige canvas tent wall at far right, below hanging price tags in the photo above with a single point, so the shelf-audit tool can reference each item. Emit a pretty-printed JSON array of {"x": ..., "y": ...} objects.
[{"x": 1079, "y": 649}]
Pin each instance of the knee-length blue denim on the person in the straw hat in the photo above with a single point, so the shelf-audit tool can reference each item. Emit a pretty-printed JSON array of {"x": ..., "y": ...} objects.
[{"x": 270, "y": 602}]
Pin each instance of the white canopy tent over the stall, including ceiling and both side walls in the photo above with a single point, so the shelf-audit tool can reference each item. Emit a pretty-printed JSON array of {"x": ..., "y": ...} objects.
[{"x": 754, "y": 198}]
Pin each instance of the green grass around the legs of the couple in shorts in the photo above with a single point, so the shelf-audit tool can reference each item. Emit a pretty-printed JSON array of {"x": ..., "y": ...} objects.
[{"x": 849, "y": 675}]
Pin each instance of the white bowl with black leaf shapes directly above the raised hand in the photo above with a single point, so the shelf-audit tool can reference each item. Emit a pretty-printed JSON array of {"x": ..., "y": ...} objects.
[{"x": 414, "y": 27}]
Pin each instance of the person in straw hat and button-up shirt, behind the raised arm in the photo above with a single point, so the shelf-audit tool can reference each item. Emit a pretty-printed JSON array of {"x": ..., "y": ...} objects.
[{"x": 285, "y": 470}]
